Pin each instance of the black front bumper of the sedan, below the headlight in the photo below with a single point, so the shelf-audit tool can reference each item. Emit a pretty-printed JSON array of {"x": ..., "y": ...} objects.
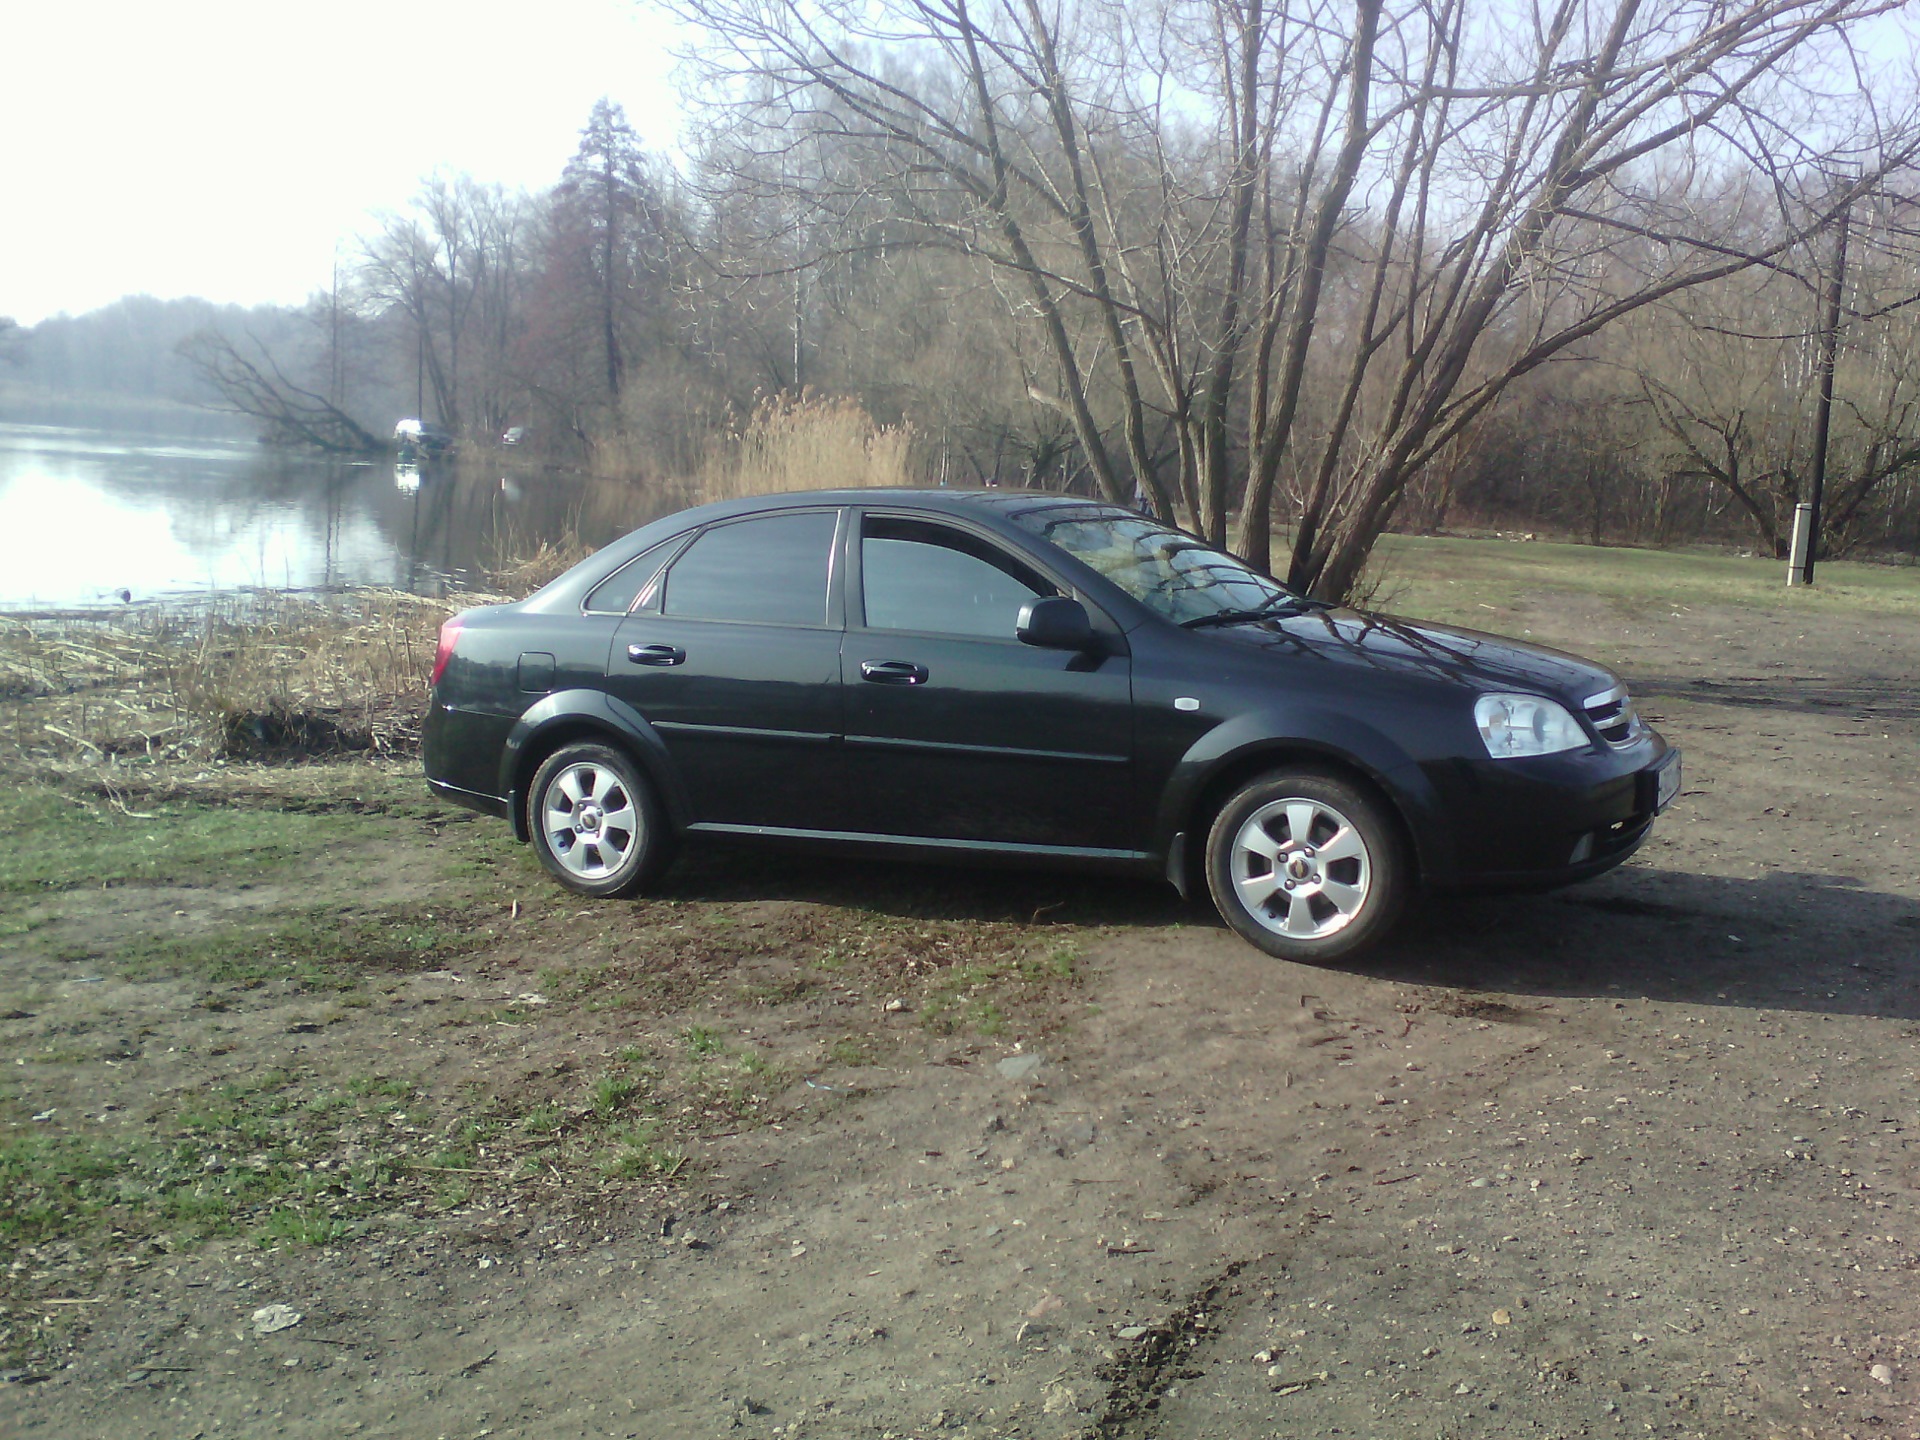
[{"x": 1556, "y": 819}]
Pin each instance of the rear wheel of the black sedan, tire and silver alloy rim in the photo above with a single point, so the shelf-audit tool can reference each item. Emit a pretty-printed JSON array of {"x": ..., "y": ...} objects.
[{"x": 596, "y": 821}]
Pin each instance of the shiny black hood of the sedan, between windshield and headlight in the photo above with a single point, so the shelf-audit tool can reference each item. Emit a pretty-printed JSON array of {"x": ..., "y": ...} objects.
[{"x": 1414, "y": 648}]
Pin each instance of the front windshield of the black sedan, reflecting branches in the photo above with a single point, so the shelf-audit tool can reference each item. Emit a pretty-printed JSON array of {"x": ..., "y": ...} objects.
[{"x": 1166, "y": 571}]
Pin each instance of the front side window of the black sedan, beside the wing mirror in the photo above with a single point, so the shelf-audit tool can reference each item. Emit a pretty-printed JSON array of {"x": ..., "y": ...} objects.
[{"x": 926, "y": 577}]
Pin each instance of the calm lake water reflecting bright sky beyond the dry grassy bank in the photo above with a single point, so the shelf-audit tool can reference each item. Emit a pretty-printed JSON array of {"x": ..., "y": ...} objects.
[{"x": 91, "y": 514}]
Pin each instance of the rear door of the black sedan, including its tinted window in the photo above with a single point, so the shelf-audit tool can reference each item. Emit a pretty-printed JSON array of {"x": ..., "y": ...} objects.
[{"x": 734, "y": 660}]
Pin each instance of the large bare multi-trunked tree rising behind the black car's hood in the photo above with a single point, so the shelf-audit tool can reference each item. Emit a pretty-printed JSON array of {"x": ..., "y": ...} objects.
[{"x": 1339, "y": 241}]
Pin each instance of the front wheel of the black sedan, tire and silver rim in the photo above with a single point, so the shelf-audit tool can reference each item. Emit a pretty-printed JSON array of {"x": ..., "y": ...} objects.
[{"x": 1307, "y": 867}]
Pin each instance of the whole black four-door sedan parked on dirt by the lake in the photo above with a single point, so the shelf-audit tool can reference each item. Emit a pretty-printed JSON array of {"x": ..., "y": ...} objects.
[{"x": 1040, "y": 681}]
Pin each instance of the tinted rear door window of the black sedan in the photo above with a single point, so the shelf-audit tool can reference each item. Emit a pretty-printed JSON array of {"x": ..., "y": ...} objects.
[{"x": 773, "y": 569}]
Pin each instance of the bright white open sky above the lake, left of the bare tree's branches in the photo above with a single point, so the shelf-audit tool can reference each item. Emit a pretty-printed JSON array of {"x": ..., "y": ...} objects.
[{"x": 224, "y": 147}]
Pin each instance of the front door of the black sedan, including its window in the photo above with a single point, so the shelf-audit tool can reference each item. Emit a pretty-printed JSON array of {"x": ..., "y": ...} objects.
[{"x": 955, "y": 729}]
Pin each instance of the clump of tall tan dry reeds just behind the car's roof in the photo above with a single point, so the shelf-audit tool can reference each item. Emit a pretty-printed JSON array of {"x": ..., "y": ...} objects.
[{"x": 807, "y": 444}]
